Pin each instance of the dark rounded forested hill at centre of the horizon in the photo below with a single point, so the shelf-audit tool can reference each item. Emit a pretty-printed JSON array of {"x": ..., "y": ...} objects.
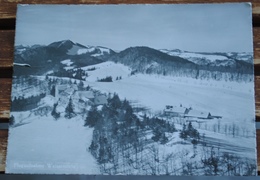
[{"x": 148, "y": 60}]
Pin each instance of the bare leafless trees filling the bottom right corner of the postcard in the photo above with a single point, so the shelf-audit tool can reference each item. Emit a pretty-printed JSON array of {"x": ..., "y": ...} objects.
[{"x": 215, "y": 163}]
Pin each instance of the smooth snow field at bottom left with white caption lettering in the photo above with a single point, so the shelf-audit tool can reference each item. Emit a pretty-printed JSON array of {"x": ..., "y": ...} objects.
[{"x": 46, "y": 145}]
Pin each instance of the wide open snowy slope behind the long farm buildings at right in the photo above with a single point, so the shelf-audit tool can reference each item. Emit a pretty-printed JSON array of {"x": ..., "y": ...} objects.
[{"x": 230, "y": 100}]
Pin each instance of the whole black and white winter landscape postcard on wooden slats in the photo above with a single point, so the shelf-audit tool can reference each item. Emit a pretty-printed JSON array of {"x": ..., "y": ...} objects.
[{"x": 133, "y": 90}]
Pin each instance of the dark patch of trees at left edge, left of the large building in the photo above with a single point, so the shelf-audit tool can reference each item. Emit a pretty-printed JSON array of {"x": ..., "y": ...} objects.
[{"x": 24, "y": 104}]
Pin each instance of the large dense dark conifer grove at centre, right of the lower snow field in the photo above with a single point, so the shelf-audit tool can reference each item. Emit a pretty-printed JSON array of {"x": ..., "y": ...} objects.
[{"x": 115, "y": 127}]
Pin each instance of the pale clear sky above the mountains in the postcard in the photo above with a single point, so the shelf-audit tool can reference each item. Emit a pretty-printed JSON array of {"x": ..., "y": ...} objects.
[{"x": 197, "y": 28}]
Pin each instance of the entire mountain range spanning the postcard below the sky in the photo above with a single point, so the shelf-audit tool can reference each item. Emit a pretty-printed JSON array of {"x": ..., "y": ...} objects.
[{"x": 141, "y": 59}]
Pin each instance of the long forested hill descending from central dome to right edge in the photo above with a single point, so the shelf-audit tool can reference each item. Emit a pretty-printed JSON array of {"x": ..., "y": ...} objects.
[{"x": 151, "y": 61}]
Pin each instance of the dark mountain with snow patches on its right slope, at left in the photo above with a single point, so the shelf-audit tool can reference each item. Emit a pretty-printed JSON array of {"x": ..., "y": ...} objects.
[{"x": 46, "y": 58}]
